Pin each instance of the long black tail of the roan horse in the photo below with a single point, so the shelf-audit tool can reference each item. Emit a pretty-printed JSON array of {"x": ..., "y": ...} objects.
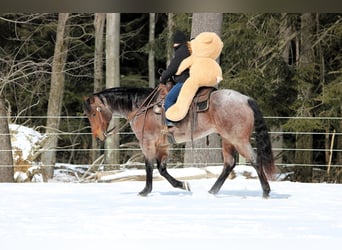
[{"x": 263, "y": 143}]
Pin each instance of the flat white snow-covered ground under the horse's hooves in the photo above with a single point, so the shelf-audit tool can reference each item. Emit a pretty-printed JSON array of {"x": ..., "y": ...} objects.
[{"x": 59, "y": 215}]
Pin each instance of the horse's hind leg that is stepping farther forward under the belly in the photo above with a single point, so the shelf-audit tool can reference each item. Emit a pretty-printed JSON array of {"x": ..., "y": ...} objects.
[{"x": 229, "y": 164}]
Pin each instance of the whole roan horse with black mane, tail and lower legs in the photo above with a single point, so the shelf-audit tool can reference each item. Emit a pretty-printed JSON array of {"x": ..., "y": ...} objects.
[{"x": 230, "y": 114}]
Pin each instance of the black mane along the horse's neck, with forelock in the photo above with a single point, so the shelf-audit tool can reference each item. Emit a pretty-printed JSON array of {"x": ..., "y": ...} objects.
[{"x": 122, "y": 99}]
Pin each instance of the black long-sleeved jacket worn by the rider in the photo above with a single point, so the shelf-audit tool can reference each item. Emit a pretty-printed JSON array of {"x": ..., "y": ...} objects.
[{"x": 180, "y": 52}]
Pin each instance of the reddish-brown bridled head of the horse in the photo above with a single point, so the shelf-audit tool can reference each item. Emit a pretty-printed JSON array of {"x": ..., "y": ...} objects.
[{"x": 99, "y": 115}]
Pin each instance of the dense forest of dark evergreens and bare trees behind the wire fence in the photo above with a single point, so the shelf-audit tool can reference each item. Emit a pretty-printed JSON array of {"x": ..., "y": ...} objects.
[{"x": 289, "y": 62}]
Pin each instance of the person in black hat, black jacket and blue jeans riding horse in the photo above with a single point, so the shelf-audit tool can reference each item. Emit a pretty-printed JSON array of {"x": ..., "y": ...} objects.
[{"x": 181, "y": 51}]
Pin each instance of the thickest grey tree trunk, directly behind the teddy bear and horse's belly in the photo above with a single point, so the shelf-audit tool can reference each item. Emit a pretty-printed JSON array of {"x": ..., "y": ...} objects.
[{"x": 199, "y": 155}]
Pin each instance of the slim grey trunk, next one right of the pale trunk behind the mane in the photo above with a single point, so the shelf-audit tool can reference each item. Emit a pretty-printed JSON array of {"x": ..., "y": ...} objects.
[{"x": 151, "y": 64}]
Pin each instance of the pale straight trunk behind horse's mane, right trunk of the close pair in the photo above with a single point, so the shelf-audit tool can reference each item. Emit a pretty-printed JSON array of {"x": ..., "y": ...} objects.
[{"x": 112, "y": 143}]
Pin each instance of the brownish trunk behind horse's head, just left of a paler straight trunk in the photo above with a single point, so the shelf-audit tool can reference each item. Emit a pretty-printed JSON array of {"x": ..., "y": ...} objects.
[{"x": 99, "y": 23}]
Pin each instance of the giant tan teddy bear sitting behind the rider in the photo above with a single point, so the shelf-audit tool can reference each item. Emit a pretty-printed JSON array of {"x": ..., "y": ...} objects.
[{"x": 204, "y": 71}]
